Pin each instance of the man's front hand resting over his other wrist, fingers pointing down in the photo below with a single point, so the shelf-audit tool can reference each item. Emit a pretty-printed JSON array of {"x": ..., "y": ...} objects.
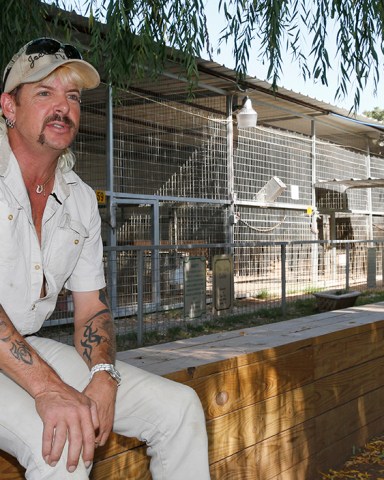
[{"x": 67, "y": 413}]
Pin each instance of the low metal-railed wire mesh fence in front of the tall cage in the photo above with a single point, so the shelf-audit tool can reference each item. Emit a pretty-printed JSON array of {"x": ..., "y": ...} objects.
[{"x": 156, "y": 288}]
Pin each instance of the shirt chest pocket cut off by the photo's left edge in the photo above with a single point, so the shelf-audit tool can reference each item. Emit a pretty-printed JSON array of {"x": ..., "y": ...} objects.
[{"x": 11, "y": 234}]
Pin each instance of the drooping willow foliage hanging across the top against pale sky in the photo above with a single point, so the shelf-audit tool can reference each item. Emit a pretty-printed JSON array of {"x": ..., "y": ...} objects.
[{"x": 135, "y": 37}]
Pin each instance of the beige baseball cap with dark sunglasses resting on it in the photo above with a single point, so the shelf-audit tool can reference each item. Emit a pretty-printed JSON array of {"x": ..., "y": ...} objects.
[{"x": 40, "y": 57}]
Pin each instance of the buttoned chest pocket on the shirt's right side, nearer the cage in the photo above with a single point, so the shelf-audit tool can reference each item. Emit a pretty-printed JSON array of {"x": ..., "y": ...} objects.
[{"x": 66, "y": 246}]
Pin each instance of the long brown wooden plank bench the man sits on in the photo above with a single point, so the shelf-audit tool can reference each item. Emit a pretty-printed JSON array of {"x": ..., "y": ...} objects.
[{"x": 285, "y": 400}]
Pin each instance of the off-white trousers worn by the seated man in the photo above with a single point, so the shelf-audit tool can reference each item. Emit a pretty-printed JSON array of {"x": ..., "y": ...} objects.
[{"x": 166, "y": 415}]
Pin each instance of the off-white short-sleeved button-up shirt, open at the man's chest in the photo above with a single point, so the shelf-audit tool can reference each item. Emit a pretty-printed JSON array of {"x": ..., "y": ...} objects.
[{"x": 71, "y": 249}]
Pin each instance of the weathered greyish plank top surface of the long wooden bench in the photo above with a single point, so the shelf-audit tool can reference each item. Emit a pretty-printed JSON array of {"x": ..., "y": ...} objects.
[{"x": 185, "y": 356}]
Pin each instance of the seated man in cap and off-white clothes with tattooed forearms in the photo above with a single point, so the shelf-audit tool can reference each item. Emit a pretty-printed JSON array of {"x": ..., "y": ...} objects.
[{"x": 58, "y": 403}]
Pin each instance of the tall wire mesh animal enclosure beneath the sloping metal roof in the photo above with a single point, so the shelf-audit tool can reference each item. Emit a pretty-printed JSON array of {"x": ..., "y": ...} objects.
[{"x": 203, "y": 219}]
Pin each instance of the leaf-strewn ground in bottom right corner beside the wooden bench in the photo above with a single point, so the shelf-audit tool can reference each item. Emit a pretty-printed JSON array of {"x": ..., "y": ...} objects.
[{"x": 368, "y": 464}]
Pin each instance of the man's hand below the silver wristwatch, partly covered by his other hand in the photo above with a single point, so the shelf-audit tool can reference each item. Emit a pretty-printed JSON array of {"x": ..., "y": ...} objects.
[{"x": 102, "y": 390}]
